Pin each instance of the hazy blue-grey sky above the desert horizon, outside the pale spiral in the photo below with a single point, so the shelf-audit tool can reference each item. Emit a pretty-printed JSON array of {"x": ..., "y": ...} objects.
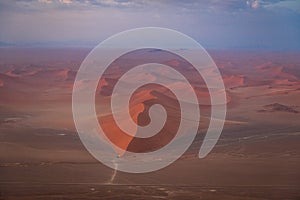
[{"x": 215, "y": 24}]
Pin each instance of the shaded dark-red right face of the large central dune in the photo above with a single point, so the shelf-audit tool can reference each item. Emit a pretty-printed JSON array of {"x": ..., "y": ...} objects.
[{"x": 168, "y": 132}]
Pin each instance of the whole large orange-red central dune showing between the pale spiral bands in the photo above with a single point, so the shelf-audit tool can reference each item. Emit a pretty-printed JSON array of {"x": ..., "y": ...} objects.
[{"x": 139, "y": 105}]
